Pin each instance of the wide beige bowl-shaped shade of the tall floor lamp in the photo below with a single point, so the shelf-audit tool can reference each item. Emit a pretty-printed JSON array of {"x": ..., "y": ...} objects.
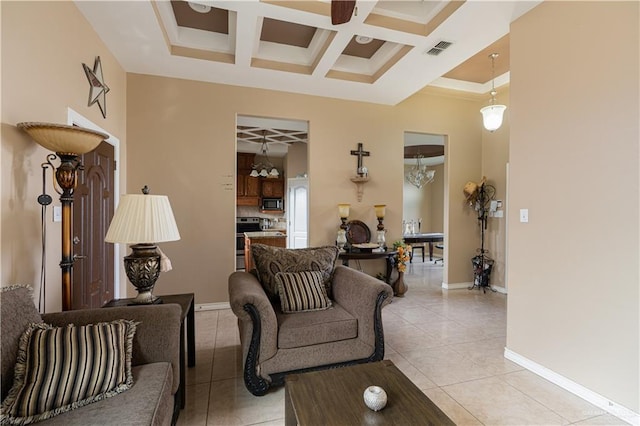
[{"x": 64, "y": 139}]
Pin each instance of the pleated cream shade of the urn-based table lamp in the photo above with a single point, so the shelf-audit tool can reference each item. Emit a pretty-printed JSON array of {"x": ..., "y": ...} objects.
[{"x": 143, "y": 218}]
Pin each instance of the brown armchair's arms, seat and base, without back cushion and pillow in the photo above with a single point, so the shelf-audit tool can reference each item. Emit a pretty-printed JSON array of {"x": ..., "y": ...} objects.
[{"x": 275, "y": 344}]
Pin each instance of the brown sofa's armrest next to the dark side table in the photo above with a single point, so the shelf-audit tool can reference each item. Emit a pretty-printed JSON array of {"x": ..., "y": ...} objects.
[{"x": 157, "y": 336}]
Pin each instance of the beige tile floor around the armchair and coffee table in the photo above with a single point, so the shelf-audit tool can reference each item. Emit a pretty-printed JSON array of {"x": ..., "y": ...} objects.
[{"x": 449, "y": 343}]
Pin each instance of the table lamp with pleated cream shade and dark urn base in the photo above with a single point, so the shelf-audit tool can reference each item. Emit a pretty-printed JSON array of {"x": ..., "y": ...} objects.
[{"x": 143, "y": 220}]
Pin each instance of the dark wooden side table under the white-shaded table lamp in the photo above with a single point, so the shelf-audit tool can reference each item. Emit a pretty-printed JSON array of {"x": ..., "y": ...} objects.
[{"x": 186, "y": 302}]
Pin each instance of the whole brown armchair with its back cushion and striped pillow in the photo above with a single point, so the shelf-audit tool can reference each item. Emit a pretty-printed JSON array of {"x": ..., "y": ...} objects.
[{"x": 299, "y": 312}]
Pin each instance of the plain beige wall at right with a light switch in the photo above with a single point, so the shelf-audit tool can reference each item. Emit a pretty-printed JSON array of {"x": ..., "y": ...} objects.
[{"x": 573, "y": 268}]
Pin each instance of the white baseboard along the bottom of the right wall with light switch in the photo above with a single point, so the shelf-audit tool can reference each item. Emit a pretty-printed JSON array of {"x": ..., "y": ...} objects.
[{"x": 588, "y": 395}]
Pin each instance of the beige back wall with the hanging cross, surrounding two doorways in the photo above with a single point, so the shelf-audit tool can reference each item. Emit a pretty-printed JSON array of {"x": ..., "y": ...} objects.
[{"x": 182, "y": 143}]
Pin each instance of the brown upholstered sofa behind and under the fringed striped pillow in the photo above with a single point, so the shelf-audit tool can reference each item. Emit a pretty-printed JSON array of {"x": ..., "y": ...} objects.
[{"x": 155, "y": 361}]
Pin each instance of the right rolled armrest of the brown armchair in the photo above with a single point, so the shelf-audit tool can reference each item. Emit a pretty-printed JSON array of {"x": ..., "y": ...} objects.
[{"x": 358, "y": 293}]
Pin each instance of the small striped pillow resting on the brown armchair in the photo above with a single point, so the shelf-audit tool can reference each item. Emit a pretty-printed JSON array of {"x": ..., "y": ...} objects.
[{"x": 302, "y": 291}]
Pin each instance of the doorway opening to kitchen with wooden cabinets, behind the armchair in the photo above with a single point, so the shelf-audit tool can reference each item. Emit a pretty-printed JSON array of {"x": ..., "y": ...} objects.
[{"x": 272, "y": 179}]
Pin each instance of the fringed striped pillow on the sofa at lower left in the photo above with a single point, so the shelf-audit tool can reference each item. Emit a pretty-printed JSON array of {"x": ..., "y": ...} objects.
[{"x": 63, "y": 368}]
